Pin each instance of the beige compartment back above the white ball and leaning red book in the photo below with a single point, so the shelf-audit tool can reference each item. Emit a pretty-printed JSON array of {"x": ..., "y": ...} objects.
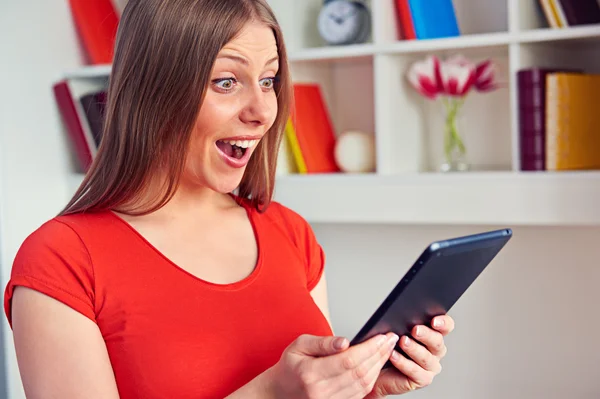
[{"x": 347, "y": 87}]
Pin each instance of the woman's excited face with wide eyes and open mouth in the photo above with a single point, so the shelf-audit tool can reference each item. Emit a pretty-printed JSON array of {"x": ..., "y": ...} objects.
[{"x": 239, "y": 108}]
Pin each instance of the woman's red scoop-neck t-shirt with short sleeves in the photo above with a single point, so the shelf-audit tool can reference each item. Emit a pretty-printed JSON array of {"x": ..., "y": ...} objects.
[{"x": 170, "y": 334}]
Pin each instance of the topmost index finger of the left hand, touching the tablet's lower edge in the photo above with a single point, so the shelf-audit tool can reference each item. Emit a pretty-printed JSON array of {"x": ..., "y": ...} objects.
[{"x": 354, "y": 356}]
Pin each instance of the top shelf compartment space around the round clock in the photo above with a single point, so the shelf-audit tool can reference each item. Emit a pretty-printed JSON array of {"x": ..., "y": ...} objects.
[{"x": 299, "y": 22}]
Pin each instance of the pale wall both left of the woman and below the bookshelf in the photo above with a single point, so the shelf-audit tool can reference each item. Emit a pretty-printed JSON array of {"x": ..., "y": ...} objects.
[{"x": 526, "y": 329}]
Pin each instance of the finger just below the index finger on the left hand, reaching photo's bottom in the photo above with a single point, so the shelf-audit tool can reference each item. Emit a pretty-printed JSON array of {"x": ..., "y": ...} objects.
[{"x": 362, "y": 379}]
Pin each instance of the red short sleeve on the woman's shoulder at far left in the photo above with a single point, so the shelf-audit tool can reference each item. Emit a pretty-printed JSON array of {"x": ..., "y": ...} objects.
[{"x": 54, "y": 261}]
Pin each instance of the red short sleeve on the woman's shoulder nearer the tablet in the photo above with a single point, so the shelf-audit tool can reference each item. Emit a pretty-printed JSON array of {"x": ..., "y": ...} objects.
[{"x": 306, "y": 241}]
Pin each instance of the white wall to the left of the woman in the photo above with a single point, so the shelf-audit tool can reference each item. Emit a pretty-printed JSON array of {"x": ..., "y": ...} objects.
[{"x": 37, "y": 43}]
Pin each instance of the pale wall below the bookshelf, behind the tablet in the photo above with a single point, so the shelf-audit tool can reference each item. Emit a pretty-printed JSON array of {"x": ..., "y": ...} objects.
[{"x": 527, "y": 329}]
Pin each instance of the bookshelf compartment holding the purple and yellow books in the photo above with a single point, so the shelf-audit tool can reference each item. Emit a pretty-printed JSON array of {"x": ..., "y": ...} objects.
[{"x": 551, "y": 144}]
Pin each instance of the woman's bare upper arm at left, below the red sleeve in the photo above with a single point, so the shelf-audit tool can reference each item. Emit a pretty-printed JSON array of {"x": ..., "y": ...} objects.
[{"x": 60, "y": 352}]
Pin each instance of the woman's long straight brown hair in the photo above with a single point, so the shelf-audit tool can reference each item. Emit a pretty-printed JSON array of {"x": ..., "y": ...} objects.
[{"x": 164, "y": 54}]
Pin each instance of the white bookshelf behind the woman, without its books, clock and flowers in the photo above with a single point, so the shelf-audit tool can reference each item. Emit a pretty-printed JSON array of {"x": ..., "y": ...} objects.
[{"x": 366, "y": 89}]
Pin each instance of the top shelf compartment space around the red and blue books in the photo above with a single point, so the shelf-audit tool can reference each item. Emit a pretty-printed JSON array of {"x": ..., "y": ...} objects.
[{"x": 473, "y": 18}]
